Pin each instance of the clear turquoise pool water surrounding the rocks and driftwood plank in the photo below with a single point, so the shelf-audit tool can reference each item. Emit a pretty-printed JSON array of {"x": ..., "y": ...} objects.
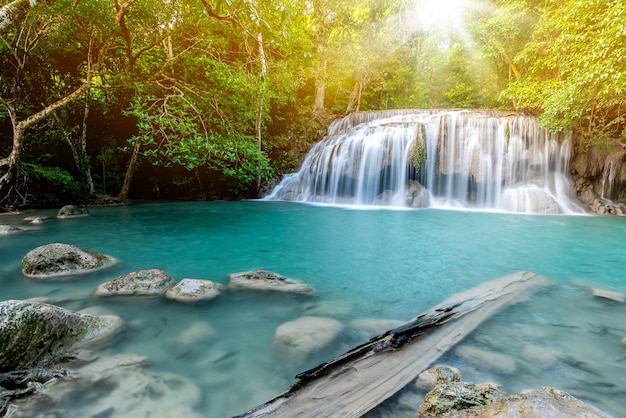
[{"x": 218, "y": 360}]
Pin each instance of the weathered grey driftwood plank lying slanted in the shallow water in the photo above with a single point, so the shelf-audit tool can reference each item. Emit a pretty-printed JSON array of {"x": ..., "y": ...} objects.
[{"x": 354, "y": 383}]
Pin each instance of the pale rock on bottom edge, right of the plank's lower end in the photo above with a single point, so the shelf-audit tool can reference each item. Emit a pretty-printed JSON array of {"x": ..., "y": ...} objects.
[{"x": 542, "y": 402}]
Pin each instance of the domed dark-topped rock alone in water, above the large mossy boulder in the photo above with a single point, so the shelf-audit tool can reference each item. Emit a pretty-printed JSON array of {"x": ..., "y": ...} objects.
[{"x": 62, "y": 259}]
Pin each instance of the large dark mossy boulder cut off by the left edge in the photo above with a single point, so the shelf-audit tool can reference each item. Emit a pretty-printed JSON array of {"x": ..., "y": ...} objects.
[{"x": 31, "y": 332}]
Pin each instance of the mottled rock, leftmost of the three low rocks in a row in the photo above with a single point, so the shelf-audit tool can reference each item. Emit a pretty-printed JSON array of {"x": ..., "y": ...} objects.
[{"x": 152, "y": 282}]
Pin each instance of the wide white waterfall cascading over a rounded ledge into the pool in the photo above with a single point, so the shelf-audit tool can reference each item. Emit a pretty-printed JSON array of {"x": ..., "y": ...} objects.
[{"x": 419, "y": 158}]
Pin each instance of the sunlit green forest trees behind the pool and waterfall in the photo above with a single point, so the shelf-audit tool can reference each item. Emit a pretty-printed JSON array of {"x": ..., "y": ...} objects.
[{"x": 215, "y": 98}]
